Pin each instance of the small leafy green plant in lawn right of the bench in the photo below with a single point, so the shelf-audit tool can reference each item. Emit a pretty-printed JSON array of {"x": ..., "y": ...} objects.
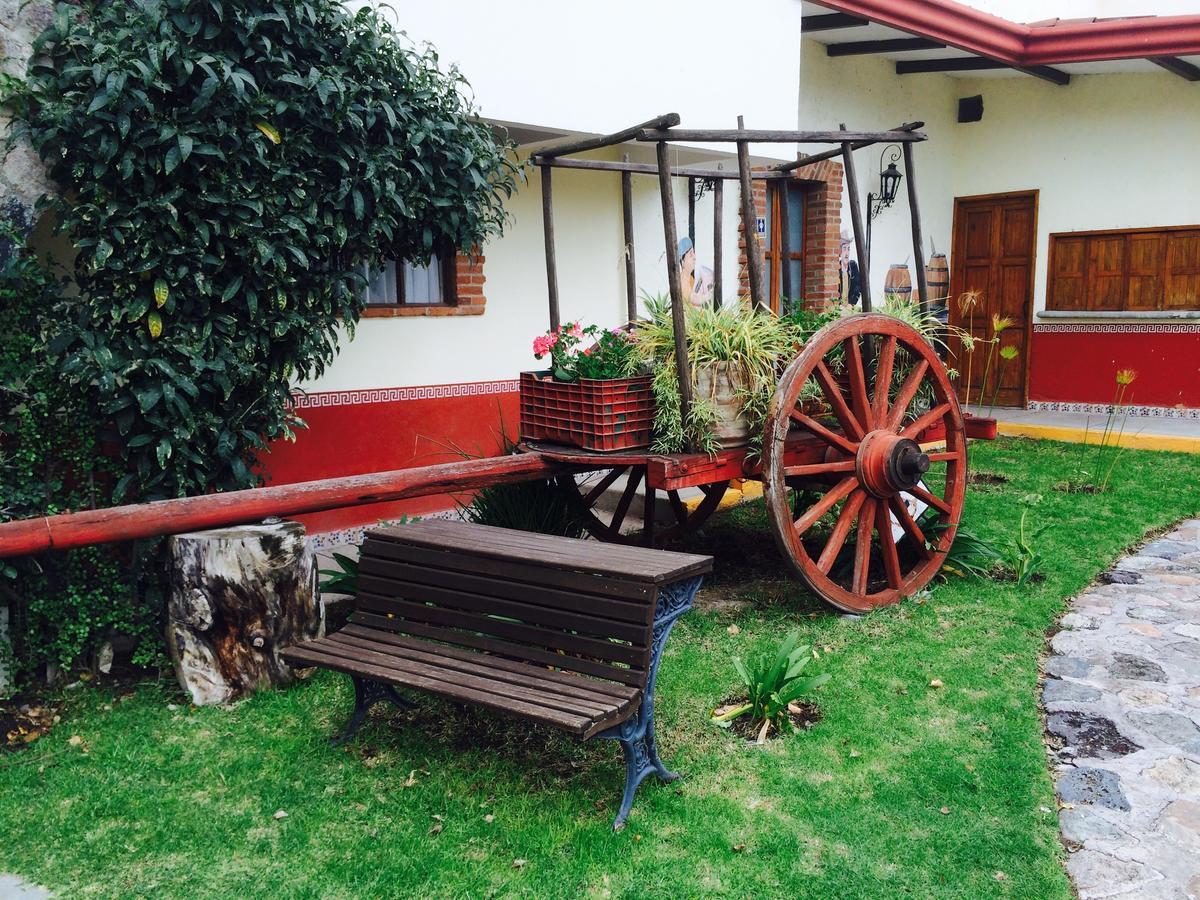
[{"x": 776, "y": 681}]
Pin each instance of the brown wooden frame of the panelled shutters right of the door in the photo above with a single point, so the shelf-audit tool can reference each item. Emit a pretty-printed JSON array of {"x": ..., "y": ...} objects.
[{"x": 1091, "y": 243}]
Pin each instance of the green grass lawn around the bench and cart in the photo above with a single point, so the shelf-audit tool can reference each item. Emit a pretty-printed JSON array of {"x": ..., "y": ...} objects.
[{"x": 901, "y": 790}]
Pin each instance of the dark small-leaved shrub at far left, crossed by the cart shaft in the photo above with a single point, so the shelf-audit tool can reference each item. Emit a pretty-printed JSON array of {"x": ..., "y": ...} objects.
[{"x": 51, "y": 461}]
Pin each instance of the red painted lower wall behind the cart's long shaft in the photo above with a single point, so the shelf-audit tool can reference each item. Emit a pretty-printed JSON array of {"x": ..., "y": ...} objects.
[{"x": 357, "y": 433}]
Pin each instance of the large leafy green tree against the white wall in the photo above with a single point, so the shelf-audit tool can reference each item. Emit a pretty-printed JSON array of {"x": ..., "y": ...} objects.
[{"x": 227, "y": 170}]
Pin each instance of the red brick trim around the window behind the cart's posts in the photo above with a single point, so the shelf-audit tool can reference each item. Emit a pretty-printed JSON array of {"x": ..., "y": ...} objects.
[{"x": 823, "y": 232}]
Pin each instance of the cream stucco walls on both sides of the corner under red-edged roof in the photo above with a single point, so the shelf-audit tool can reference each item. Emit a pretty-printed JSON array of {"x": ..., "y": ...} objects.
[{"x": 1106, "y": 152}]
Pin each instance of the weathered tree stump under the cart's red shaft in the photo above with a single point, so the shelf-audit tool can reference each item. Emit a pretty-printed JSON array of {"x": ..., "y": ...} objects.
[{"x": 238, "y": 597}]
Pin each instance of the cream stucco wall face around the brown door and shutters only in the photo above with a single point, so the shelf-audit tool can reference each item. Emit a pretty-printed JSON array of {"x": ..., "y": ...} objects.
[{"x": 1105, "y": 152}]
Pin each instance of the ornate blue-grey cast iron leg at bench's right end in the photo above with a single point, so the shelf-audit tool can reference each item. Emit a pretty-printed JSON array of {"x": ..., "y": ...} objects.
[{"x": 637, "y": 735}]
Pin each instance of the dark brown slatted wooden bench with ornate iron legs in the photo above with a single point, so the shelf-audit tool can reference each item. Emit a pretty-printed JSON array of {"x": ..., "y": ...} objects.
[{"x": 556, "y": 631}]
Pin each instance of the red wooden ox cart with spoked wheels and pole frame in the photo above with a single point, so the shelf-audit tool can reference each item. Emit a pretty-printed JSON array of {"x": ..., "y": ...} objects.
[{"x": 861, "y": 507}]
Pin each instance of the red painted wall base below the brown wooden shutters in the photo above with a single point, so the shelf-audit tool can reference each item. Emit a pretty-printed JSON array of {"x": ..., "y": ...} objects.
[{"x": 1081, "y": 365}]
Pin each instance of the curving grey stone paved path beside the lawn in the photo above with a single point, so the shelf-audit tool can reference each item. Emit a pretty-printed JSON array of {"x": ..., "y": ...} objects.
[{"x": 1123, "y": 700}]
